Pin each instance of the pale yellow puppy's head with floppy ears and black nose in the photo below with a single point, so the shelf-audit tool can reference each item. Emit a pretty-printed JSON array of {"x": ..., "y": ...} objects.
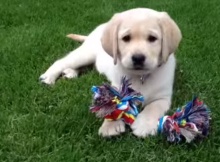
[{"x": 141, "y": 39}]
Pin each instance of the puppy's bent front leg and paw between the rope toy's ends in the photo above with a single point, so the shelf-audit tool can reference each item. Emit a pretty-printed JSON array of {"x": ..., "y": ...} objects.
[{"x": 146, "y": 122}]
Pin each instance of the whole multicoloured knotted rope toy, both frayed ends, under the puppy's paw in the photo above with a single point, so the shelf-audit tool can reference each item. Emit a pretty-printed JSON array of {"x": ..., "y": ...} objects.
[{"x": 189, "y": 121}]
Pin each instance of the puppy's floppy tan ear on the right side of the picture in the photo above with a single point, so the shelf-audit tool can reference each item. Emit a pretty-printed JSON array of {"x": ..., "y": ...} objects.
[{"x": 171, "y": 36}]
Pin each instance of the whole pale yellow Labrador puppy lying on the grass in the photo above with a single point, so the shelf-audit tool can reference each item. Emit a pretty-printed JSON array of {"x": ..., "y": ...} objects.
[{"x": 138, "y": 43}]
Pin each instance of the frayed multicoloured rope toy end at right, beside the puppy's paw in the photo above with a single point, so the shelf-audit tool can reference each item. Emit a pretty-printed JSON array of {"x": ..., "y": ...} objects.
[{"x": 190, "y": 121}]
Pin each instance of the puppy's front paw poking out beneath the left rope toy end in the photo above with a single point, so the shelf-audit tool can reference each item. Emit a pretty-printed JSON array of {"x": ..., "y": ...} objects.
[{"x": 112, "y": 128}]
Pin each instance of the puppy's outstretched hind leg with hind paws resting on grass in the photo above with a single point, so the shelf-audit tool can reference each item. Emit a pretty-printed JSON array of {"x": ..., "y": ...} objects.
[{"x": 83, "y": 55}]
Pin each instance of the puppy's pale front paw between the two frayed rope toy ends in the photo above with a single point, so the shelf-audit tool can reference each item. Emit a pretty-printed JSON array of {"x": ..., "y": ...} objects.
[{"x": 144, "y": 126}]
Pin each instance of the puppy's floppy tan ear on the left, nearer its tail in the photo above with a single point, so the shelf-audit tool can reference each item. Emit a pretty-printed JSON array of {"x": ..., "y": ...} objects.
[{"x": 109, "y": 38}]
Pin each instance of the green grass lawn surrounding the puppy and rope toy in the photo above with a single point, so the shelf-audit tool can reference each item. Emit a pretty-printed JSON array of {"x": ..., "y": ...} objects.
[{"x": 40, "y": 123}]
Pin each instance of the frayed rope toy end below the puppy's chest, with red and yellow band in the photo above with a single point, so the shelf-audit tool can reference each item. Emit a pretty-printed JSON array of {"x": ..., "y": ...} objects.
[{"x": 111, "y": 104}]
